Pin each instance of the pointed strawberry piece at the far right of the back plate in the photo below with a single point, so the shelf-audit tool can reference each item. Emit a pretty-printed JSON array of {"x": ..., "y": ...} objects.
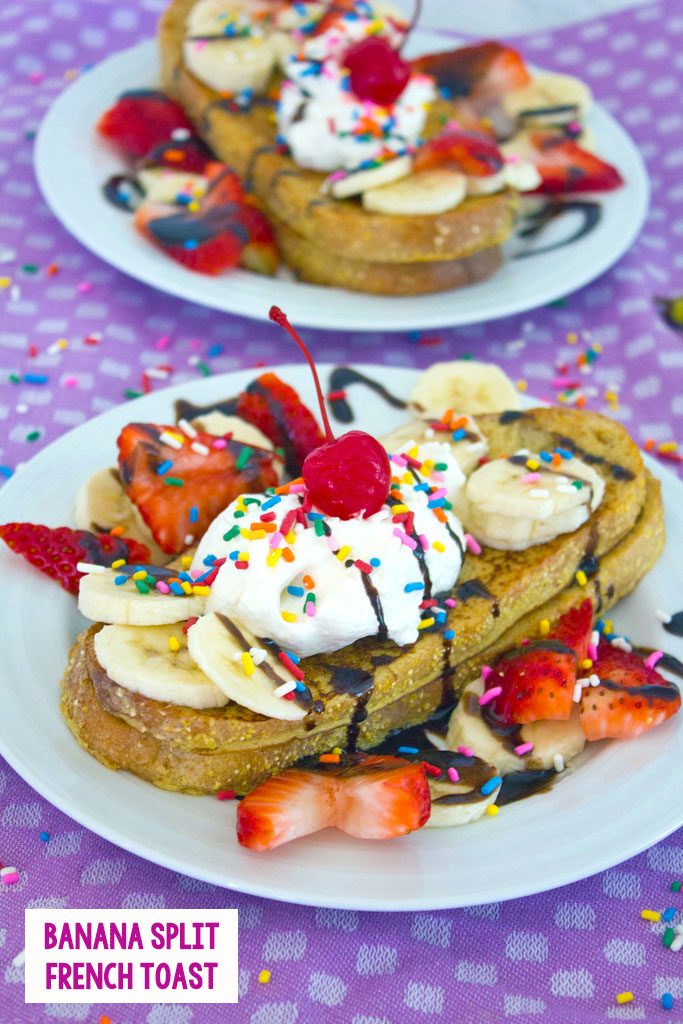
[{"x": 566, "y": 167}]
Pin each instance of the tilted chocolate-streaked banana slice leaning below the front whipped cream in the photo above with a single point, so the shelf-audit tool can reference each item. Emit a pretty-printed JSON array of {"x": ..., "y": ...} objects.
[{"x": 218, "y": 646}]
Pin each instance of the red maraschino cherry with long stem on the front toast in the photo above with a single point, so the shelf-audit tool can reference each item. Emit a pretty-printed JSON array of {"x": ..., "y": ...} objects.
[{"x": 348, "y": 476}]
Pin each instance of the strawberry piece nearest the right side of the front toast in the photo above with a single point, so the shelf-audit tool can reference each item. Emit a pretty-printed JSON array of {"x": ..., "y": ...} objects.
[{"x": 538, "y": 681}]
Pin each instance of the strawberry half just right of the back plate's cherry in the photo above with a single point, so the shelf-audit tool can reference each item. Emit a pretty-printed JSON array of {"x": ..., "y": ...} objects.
[{"x": 482, "y": 73}]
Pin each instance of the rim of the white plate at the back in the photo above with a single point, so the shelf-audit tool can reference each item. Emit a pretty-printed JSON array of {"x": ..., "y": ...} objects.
[{"x": 382, "y": 313}]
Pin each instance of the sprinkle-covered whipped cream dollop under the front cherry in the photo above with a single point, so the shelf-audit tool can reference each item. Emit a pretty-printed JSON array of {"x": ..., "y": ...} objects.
[{"x": 315, "y": 584}]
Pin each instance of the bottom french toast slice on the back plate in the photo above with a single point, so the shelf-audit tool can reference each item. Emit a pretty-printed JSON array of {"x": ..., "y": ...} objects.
[{"x": 311, "y": 263}]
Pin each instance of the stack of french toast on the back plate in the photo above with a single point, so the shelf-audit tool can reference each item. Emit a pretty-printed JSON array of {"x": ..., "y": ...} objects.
[{"x": 325, "y": 238}]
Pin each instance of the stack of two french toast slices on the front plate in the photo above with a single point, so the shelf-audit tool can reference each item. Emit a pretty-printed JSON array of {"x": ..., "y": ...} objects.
[{"x": 371, "y": 689}]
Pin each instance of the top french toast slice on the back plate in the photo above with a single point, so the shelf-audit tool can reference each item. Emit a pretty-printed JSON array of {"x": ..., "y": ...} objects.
[{"x": 246, "y": 141}]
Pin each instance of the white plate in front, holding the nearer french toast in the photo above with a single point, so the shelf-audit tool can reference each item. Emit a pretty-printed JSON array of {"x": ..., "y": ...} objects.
[{"x": 619, "y": 801}]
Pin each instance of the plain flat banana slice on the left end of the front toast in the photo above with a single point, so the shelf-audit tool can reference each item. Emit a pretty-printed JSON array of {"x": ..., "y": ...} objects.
[{"x": 154, "y": 661}]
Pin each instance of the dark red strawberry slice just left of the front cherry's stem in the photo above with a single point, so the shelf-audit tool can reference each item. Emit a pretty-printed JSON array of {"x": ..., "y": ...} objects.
[{"x": 279, "y": 413}]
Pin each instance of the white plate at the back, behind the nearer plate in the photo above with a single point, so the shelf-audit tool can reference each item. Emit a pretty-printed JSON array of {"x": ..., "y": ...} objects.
[{"x": 72, "y": 166}]
